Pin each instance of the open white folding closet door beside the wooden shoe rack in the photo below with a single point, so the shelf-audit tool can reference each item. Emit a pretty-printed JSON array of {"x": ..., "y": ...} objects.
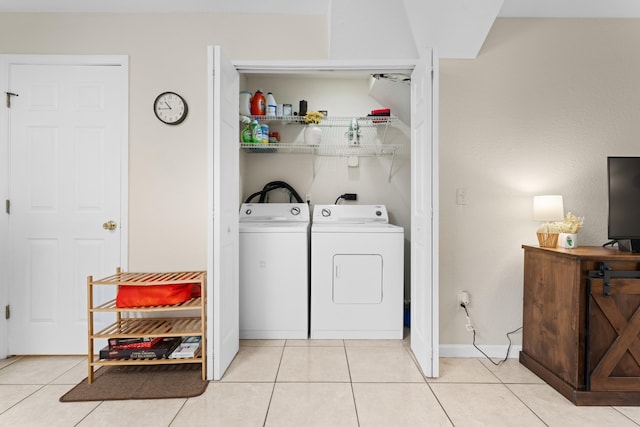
[{"x": 223, "y": 314}]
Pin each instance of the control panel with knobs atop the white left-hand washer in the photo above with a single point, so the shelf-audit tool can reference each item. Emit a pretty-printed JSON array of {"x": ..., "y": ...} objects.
[{"x": 274, "y": 213}]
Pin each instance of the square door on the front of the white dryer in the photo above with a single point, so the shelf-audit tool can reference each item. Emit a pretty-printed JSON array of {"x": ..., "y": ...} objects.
[{"x": 357, "y": 279}]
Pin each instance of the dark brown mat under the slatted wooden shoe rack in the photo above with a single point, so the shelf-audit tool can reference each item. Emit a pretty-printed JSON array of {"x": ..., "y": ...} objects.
[{"x": 140, "y": 382}]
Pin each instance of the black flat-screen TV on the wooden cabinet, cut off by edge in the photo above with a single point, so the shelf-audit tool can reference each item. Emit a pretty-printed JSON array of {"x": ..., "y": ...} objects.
[{"x": 624, "y": 202}]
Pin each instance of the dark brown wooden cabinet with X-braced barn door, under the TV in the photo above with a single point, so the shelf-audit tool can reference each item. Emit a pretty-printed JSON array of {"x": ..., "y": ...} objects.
[{"x": 571, "y": 325}]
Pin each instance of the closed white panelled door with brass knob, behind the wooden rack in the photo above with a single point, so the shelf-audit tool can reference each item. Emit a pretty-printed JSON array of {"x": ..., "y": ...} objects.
[{"x": 67, "y": 125}]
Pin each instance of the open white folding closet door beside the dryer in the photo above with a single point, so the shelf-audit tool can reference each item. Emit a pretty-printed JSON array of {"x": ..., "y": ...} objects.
[{"x": 424, "y": 215}]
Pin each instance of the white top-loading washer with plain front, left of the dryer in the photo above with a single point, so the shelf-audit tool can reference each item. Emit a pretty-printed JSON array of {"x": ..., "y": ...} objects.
[{"x": 274, "y": 271}]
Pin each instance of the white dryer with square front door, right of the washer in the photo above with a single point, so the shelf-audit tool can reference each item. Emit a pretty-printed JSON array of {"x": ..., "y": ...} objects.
[{"x": 357, "y": 273}]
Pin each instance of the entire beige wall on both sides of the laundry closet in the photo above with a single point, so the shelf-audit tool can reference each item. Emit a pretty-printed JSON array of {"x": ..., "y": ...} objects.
[{"x": 537, "y": 112}]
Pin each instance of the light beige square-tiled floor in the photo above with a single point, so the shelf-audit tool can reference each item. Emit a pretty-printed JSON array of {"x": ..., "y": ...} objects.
[{"x": 311, "y": 383}]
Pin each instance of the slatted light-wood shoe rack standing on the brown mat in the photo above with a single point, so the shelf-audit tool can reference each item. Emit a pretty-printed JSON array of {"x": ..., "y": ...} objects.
[{"x": 179, "y": 320}]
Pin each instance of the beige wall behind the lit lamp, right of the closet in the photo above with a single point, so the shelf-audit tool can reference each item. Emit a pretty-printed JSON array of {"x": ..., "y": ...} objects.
[{"x": 537, "y": 112}]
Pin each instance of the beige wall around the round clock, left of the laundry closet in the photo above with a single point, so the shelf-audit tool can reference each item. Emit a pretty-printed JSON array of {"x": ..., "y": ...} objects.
[{"x": 167, "y": 191}]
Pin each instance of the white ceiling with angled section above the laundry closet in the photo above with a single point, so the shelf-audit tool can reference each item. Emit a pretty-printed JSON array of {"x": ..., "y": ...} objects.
[{"x": 457, "y": 28}]
